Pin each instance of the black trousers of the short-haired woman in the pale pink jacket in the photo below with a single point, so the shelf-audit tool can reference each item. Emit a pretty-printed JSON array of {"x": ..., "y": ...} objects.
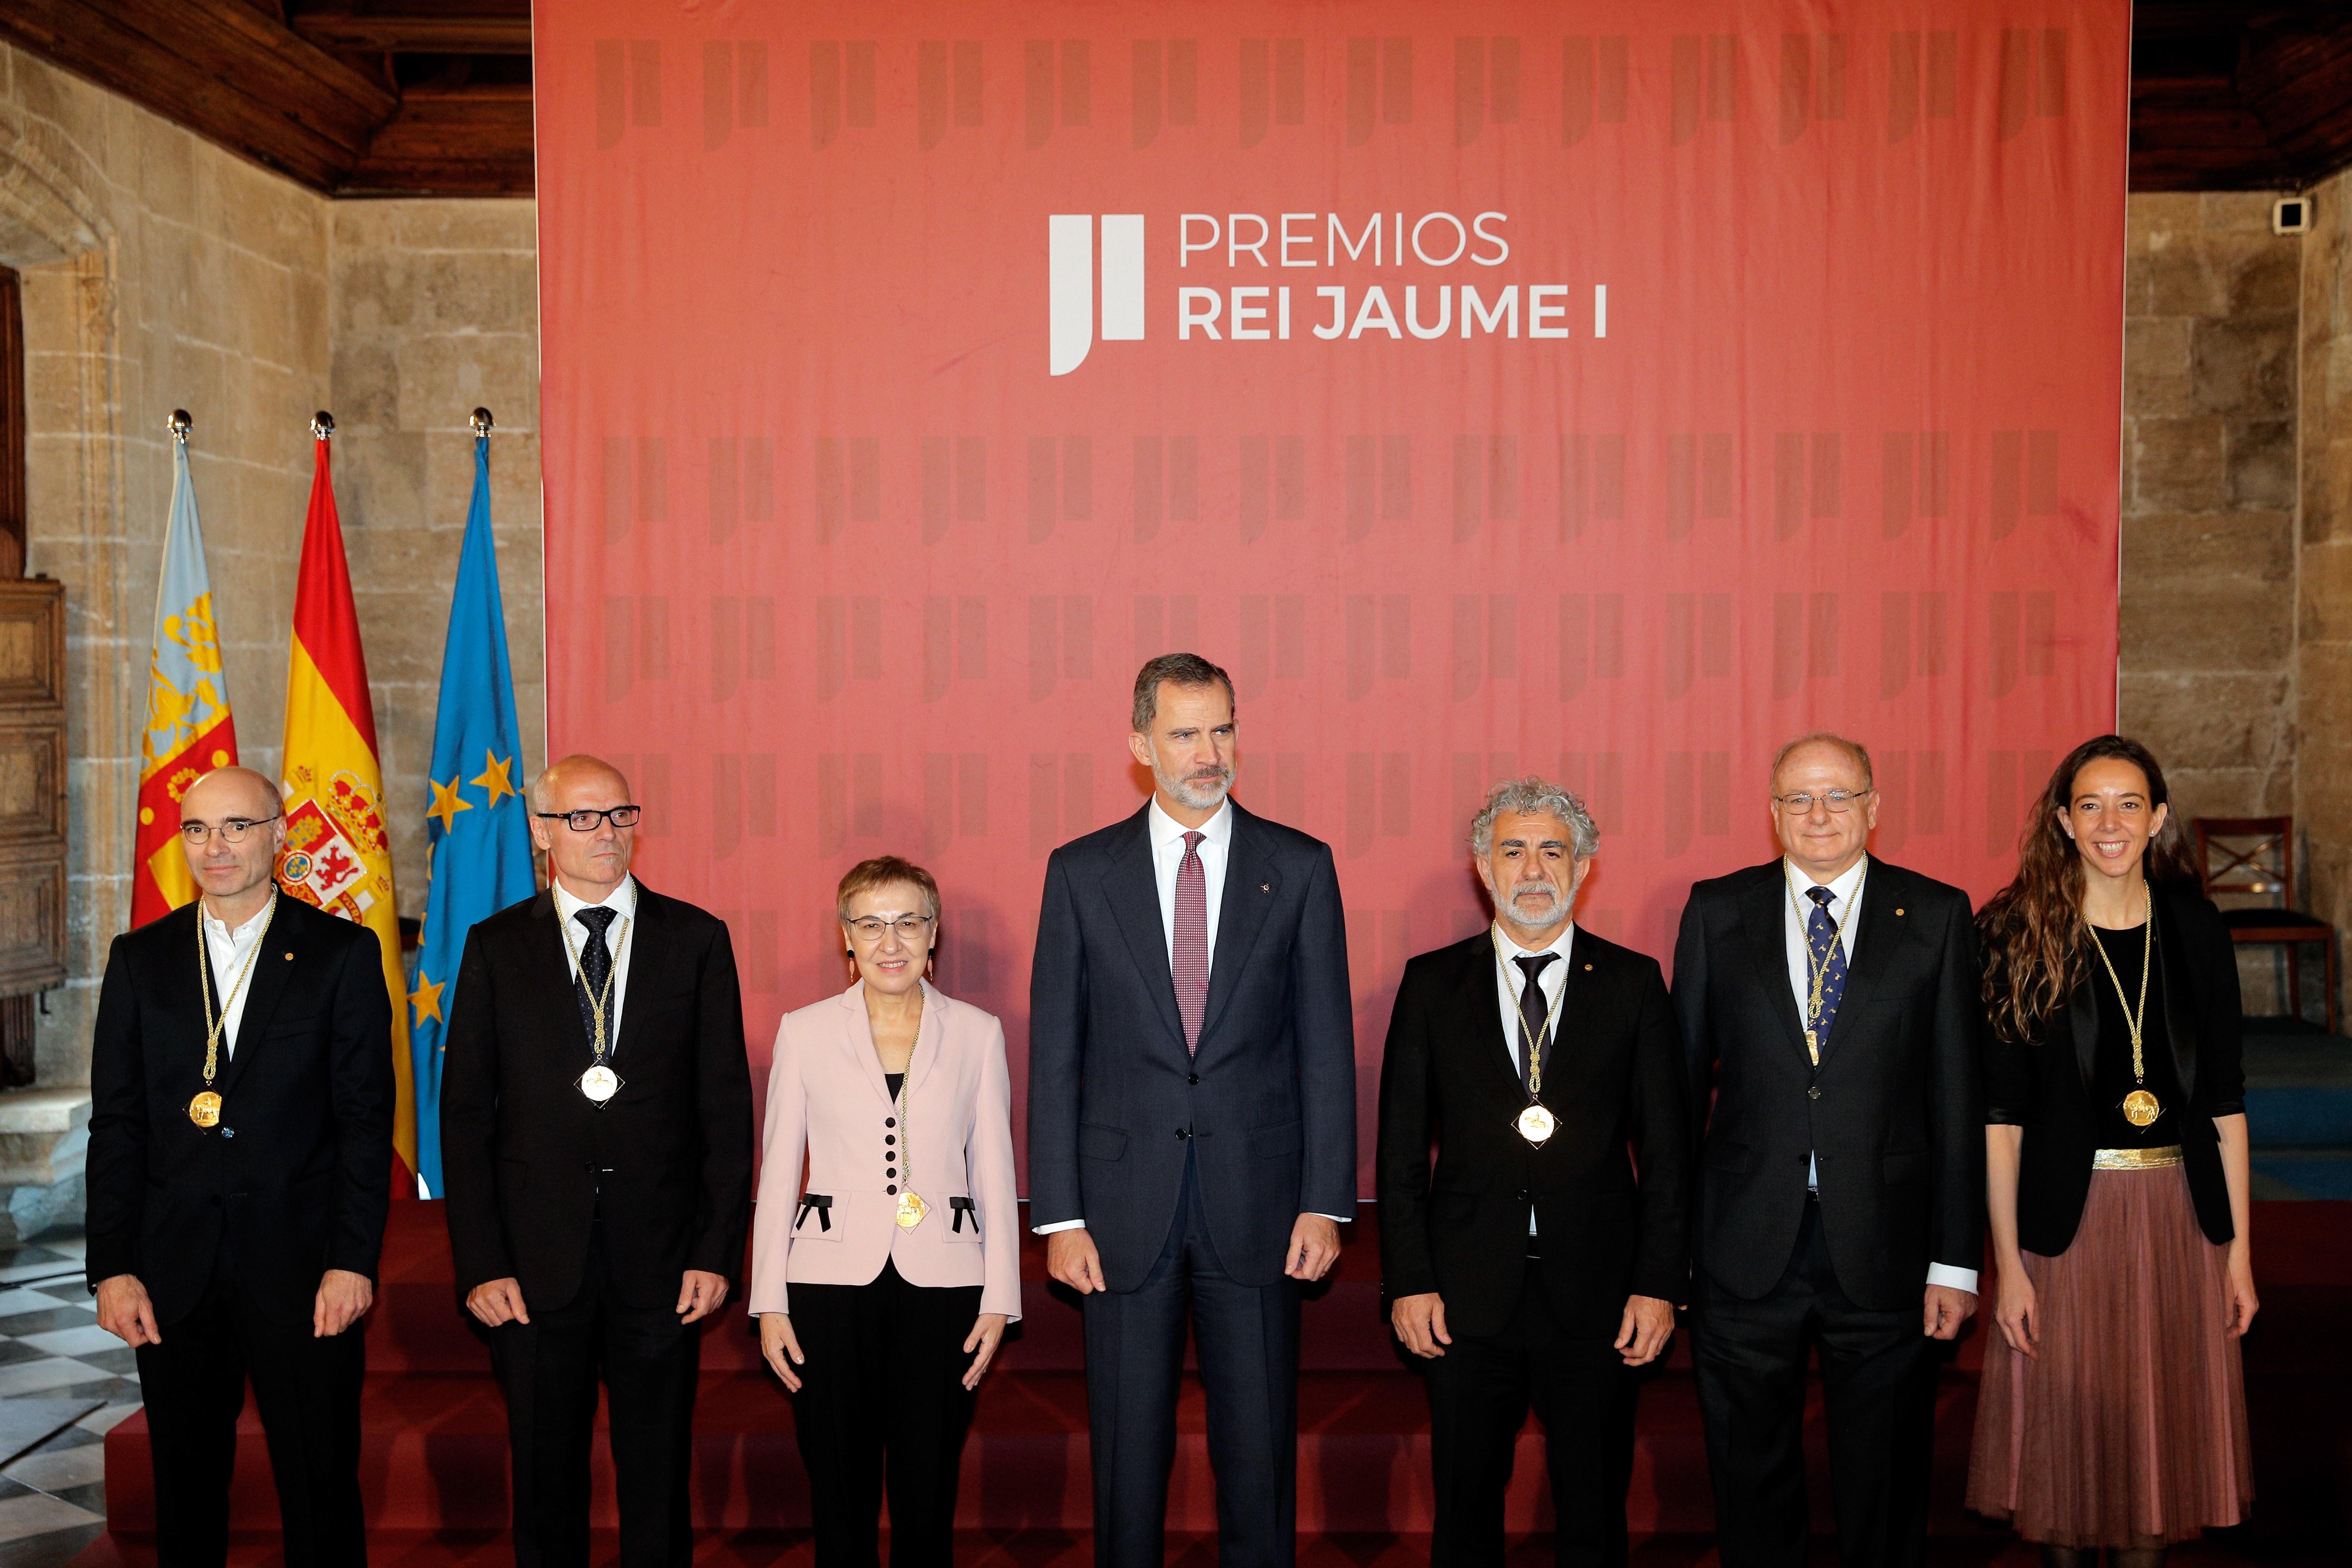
[{"x": 883, "y": 1395}]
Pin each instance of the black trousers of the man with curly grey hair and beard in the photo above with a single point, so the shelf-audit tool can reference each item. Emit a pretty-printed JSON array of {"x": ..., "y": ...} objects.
[{"x": 1481, "y": 1393}]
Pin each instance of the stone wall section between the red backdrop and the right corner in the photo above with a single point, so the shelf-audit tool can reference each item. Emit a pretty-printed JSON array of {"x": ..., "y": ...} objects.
[{"x": 2210, "y": 500}]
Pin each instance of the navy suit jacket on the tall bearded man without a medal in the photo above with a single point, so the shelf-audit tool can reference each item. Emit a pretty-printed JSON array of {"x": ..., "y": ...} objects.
[{"x": 1269, "y": 1101}]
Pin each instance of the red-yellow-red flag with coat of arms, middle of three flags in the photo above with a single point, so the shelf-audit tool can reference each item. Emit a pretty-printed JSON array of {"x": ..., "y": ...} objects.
[{"x": 338, "y": 855}]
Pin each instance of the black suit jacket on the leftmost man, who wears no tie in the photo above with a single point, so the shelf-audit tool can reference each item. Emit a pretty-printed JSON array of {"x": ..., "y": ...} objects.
[{"x": 298, "y": 1177}]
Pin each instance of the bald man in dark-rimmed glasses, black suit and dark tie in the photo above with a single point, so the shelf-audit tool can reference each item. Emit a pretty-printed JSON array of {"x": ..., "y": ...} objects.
[{"x": 596, "y": 1141}]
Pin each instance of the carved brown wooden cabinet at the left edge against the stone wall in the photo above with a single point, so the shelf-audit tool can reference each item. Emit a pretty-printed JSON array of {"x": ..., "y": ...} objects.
[{"x": 32, "y": 810}]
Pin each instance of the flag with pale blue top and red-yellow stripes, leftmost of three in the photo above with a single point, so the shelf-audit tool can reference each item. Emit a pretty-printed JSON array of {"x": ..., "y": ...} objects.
[{"x": 189, "y": 725}]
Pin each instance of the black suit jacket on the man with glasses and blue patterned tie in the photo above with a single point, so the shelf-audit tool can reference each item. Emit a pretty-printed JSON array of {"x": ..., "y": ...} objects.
[{"x": 1895, "y": 1113}]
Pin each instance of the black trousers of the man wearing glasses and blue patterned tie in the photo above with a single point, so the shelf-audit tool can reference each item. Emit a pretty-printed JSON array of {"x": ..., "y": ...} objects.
[{"x": 1878, "y": 1379}]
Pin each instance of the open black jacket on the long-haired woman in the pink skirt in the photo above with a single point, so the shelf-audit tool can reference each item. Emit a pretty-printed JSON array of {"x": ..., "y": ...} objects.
[{"x": 2045, "y": 1087}]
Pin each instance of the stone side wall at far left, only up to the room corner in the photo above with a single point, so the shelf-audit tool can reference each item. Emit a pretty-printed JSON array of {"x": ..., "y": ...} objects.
[{"x": 159, "y": 272}]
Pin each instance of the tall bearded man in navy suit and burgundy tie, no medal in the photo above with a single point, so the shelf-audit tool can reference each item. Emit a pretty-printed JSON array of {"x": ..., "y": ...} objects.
[{"x": 1191, "y": 1120}]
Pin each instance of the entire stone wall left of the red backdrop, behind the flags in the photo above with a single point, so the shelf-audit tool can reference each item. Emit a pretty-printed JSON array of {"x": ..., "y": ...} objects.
[{"x": 161, "y": 272}]
